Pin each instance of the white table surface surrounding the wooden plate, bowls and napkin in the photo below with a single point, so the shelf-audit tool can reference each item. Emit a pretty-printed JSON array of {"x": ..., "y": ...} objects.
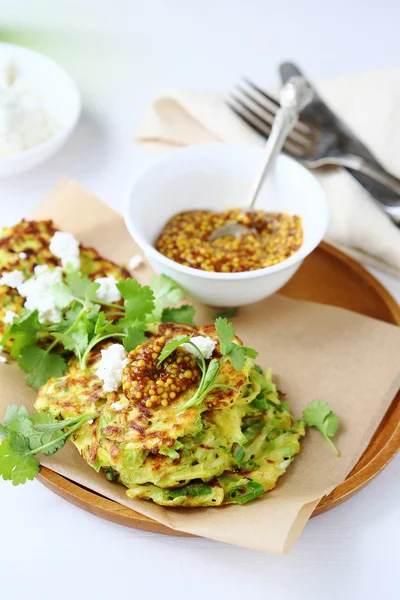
[{"x": 121, "y": 53}]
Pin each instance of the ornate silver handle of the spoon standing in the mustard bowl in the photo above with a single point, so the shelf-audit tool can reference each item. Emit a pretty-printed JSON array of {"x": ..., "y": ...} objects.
[{"x": 295, "y": 95}]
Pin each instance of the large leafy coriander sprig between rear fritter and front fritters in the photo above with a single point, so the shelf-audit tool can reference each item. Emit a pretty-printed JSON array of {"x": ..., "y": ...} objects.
[{"x": 42, "y": 349}]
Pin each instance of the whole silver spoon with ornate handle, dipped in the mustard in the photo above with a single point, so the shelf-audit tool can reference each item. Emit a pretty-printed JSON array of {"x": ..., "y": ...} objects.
[{"x": 295, "y": 95}]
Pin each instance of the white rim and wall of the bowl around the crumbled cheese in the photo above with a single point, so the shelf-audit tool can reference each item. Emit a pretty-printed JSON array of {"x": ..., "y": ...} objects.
[{"x": 61, "y": 99}]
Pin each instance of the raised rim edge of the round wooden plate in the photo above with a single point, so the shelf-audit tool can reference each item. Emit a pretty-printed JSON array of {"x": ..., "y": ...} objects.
[{"x": 112, "y": 511}]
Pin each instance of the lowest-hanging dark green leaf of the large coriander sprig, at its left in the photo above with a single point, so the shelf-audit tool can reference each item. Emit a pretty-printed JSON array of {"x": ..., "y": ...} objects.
[{"x": 40, "y": 365}]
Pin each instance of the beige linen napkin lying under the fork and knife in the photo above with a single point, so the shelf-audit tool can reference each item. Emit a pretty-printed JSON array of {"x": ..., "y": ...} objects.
[{"x": 369, "y": 102}]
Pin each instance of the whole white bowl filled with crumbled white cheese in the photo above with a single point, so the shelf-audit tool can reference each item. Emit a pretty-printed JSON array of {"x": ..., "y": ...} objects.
[{"x": 39, "y": 107}]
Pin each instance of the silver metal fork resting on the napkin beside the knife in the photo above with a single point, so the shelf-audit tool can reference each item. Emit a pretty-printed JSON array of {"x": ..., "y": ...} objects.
[{"x": 312, "y": 146}]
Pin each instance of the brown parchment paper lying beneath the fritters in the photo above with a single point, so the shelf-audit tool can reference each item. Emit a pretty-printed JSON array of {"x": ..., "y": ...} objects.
[{"x": 315, "y": 351}]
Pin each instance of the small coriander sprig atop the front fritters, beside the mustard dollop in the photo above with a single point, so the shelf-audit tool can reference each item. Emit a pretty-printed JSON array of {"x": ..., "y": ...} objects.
[{"x": 230, "y": 351}]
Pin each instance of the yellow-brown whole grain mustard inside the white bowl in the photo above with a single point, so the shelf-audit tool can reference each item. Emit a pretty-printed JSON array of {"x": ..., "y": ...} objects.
[{"x": 184, "y": 239}]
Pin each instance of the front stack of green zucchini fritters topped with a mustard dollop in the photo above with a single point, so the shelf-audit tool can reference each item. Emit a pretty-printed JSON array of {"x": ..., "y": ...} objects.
[{"x": 170, "y": 454}]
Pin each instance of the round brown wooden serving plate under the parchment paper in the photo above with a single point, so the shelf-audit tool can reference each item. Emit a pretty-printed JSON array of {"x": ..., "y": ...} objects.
[{"x": 327, "y": 276}]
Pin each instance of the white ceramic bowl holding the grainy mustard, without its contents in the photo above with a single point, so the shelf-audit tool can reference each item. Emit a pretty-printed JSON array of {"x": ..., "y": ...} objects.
[{"x": 217, "y": 176}]
